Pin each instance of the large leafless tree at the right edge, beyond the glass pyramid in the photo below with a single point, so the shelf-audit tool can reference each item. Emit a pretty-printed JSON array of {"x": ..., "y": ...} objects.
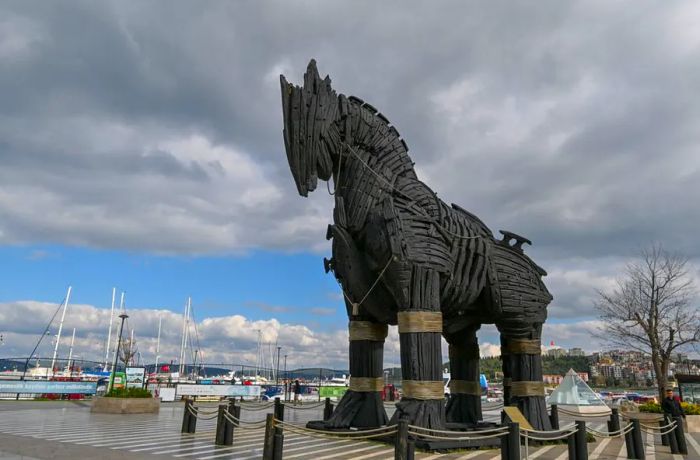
[{"x": 650, "y": 309}]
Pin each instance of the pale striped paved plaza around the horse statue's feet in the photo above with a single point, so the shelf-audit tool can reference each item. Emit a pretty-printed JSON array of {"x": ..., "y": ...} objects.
[{"x": 67, "y": 430}]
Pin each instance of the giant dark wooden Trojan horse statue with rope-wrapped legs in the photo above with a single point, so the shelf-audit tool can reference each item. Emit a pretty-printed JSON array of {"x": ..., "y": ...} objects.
[{"x": 402, "y": 256}]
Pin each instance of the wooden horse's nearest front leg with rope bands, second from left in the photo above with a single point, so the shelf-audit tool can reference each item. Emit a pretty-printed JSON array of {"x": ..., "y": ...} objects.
[{"x": 420, "y": 332}]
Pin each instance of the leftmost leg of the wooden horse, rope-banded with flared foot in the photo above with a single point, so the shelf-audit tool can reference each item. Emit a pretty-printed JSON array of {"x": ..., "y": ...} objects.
[{"x": 362, "y": 405}]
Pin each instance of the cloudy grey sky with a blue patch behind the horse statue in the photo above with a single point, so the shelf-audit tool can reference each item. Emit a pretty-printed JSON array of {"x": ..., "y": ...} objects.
[{"x": 140, "y": 147}]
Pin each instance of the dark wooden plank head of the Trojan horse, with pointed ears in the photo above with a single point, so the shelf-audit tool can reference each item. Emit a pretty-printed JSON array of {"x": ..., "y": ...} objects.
[{"x": 310, "y": 137}]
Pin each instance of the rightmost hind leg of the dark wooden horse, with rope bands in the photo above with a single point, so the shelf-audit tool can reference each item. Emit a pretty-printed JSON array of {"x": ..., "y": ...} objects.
[{"x": 522, "y": 370}]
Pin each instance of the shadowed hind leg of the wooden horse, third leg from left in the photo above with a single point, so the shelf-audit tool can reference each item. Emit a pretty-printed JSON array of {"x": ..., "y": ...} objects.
[{"x": 464, "y": 403}]
